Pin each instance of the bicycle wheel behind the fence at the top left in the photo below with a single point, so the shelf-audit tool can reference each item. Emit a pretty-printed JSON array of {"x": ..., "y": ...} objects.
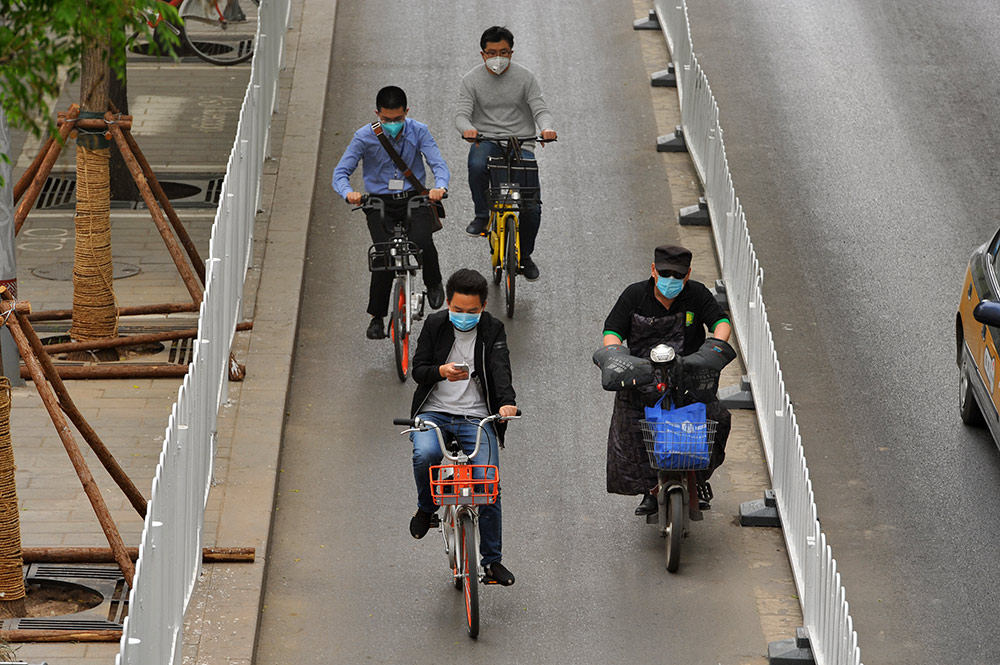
[{"x": 221, "y": 32}]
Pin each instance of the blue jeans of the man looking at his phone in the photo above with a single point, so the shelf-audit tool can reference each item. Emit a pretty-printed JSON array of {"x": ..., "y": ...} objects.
[{"x": 427, "y": 452}]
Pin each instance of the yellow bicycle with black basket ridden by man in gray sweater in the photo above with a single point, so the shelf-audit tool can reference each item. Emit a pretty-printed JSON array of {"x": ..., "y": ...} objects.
[{"x": 513, "y": 185}]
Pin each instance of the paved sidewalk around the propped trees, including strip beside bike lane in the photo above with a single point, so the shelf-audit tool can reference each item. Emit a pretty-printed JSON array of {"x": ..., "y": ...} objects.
[{"x": 185, "y": 117}]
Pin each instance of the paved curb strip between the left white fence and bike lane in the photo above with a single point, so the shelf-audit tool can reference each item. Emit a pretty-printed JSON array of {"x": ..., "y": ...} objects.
[{"x": 231, "y": 597}]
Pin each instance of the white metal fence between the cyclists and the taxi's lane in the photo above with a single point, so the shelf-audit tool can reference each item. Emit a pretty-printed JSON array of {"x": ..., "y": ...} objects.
[{"x": 824, "y": 606}]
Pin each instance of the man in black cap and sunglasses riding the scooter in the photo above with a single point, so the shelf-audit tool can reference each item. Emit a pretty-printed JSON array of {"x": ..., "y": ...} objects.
[{"x": 667, "y": 308}]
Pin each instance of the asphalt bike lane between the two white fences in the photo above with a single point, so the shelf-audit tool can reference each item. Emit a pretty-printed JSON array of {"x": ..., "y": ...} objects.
[{"x": 346, "y": 583}]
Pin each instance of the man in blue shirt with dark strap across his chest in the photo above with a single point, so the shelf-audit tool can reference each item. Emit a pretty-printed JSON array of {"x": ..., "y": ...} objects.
[{"x": 414, "y": 143}]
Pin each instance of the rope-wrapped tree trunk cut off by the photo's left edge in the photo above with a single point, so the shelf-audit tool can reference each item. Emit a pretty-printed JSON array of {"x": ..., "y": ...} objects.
[{"x": 11, "y": 562}]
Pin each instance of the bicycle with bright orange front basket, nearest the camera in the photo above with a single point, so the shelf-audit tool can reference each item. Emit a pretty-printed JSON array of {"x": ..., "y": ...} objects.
[{"x": 460, "y": 487}]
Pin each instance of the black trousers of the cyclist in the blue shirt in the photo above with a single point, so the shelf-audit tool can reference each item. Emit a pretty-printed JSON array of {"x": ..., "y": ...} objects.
[{"x": 420, "y": 232}]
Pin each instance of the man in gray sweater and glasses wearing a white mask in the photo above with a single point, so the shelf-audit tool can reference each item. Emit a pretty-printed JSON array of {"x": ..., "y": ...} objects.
[{"x": 501, "y": 98}]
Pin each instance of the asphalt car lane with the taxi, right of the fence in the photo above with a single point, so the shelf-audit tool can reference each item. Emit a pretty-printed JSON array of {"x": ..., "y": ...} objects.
[{"x": 864, "y": 141}]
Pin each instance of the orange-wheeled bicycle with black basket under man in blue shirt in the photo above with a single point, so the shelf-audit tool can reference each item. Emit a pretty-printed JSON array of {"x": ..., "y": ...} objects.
[{"x": 402, "y": 257}]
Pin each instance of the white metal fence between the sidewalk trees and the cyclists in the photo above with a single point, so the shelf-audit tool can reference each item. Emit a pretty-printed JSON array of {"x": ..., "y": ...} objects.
[{"x": 170, "y": 547}]
